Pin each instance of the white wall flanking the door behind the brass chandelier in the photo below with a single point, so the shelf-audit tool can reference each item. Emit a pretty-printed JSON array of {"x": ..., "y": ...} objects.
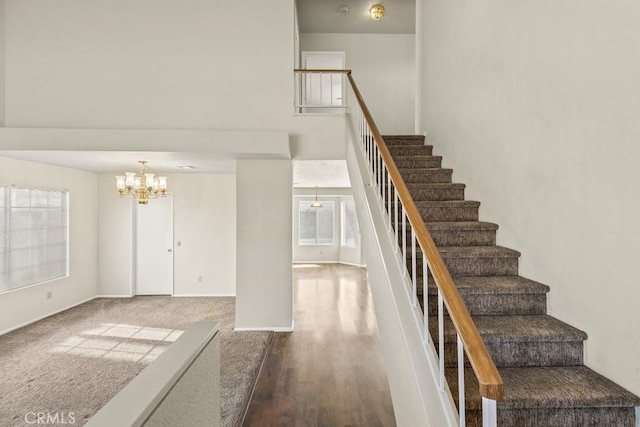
[{"x": 204, "y": 222}]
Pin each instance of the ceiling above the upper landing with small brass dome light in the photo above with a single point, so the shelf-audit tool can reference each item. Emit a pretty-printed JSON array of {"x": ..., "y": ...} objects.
[{"x": 323, "y": 16}]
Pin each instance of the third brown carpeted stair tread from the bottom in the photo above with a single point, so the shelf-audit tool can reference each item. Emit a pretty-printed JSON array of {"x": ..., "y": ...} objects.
[{"x": 491, "y": 285}]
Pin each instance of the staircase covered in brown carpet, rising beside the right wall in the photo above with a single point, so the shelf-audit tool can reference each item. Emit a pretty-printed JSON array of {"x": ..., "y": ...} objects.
[{"x": 539, "y": 357}]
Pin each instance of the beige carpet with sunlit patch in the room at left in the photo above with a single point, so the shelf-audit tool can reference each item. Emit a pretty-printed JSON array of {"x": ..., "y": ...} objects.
[{"x": 76, "y": 361}]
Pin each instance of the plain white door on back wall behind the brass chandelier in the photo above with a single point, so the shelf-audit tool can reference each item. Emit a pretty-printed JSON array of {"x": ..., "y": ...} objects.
[{"x": 154, "y": 247}]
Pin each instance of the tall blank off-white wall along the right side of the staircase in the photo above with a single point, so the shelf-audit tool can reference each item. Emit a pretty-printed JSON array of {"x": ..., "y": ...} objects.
[{"x": 535, "y": 105}]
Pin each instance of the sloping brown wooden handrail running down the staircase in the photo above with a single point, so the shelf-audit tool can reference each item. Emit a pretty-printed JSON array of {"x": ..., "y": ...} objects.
[{"x": 491, "y": 385}]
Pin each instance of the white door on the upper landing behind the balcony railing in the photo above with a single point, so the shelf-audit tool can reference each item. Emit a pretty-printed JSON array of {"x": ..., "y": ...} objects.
[{"x": 323, "y": 90}]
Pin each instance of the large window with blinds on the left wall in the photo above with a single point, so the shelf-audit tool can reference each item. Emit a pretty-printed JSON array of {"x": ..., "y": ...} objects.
[{"x": 33, "y": 236}]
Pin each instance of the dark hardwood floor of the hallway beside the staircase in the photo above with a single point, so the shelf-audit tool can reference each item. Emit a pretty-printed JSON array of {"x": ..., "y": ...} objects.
[{"x": 330, "y": 371}]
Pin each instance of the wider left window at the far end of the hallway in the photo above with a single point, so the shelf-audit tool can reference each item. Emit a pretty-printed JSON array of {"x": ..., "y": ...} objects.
[{"x": 316, "y": 224}]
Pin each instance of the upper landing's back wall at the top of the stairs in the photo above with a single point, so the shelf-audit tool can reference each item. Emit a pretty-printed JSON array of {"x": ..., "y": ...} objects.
[{"x": 383, "y": 67}]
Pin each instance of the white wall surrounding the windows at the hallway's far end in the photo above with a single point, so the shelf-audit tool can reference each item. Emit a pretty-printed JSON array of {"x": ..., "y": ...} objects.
[{"x": 335, "y": 253}]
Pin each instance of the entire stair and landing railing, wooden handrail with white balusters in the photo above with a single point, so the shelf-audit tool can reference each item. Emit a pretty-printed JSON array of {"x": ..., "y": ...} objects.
[{"x": 412, "y": 239}]
